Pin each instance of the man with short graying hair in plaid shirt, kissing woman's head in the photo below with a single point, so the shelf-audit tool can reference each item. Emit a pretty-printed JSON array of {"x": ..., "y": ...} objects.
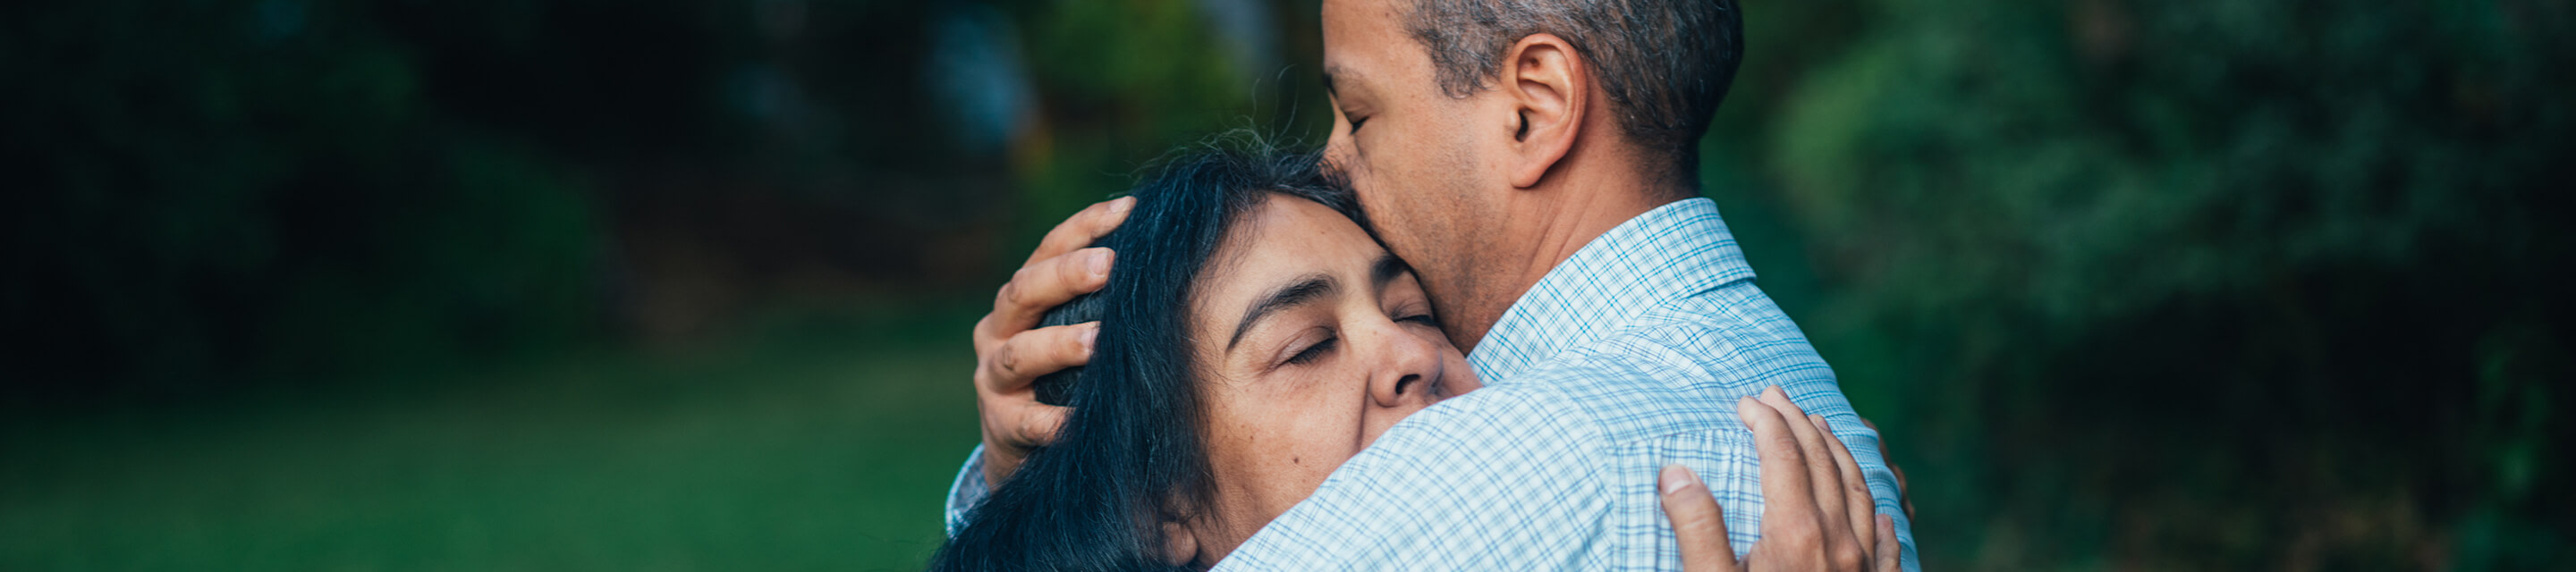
[{"x": 1539, "y": 169}]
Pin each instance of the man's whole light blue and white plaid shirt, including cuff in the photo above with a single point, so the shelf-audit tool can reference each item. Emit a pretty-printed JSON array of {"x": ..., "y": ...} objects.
[{"x": 1624, "y": 359}]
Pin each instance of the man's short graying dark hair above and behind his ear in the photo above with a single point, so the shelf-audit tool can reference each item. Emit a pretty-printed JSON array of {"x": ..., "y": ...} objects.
[{"x": 1665, "y": 63}]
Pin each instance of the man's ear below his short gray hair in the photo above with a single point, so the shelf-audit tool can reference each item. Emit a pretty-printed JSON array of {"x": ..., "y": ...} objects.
[{"x": 1549, "y": 89}]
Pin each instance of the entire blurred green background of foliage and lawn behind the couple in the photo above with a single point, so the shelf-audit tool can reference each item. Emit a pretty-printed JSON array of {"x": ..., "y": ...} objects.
[{"x": 684, "y": 285}]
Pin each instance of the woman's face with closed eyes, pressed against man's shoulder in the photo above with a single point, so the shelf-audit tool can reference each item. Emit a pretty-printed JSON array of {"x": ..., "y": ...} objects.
[{"x": 1312, "y": 341}]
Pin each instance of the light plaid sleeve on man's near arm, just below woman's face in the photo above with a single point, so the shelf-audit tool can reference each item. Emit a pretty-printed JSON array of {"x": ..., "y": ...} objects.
[{"x": 1439, "y": 493}]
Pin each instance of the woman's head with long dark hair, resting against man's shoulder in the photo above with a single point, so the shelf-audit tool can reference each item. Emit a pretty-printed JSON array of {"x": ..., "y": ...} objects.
[{"x": 1300, "y": 341}]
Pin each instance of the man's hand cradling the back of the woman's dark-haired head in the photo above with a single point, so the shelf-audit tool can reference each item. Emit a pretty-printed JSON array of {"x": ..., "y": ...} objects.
[{"x": 1014, "y": 352}]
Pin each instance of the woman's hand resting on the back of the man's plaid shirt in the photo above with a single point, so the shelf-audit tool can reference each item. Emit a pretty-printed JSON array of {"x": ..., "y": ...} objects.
[{"x": 1817, "y": 514}]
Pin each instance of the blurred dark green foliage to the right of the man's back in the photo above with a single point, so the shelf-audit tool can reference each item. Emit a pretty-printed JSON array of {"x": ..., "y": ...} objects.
[{"x": 2201, "y": 285}]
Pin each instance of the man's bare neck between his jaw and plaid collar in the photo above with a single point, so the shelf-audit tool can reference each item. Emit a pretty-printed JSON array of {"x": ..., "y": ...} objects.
[{"x": 1560, "y": 218}]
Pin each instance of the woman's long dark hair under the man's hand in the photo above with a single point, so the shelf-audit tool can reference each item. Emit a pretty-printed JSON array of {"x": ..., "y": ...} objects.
[{"x": 1130, "y": 457}]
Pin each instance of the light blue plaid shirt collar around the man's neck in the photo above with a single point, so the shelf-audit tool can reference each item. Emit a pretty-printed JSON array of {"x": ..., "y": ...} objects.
[{"x": 1660, "y": 256}]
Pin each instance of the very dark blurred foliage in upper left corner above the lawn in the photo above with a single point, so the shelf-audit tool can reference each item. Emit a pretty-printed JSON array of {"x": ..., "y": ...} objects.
[{"x": 236, "y": 189}]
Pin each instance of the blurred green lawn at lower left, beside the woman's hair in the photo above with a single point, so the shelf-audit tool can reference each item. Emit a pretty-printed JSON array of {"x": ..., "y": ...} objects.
[{"x": 792, "y": 452}]
